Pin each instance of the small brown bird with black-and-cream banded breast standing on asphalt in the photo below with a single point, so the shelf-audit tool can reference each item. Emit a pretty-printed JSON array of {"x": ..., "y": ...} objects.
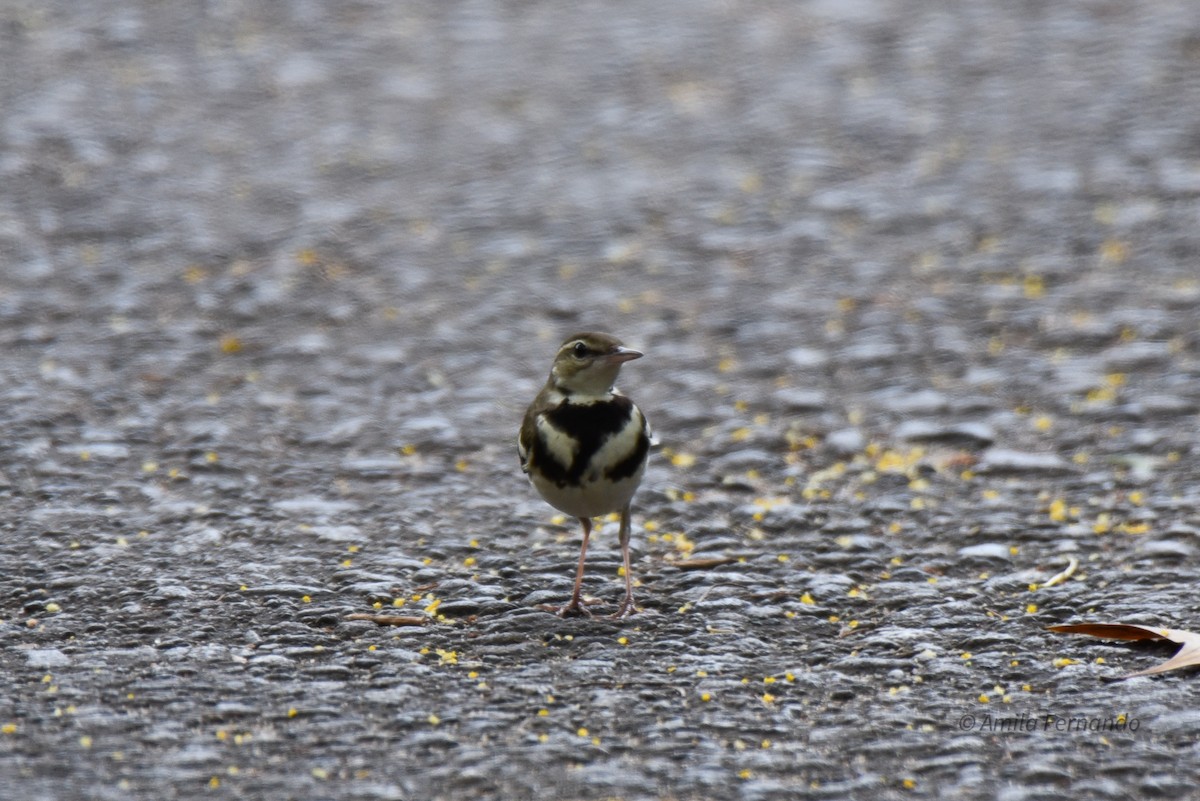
[{"x": 585, "y": 445}]
